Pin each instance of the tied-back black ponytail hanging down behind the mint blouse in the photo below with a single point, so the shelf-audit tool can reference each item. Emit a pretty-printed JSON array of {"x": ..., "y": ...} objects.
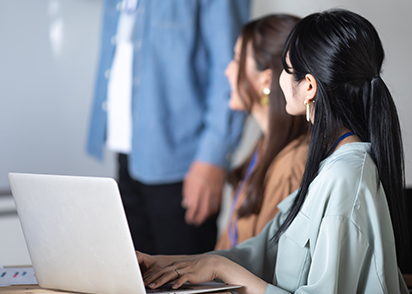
[{"x": 387, "y": 152}]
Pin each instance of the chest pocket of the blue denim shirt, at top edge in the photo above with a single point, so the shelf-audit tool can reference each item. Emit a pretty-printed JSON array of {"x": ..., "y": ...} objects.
[{"x": 167, "y": 14}]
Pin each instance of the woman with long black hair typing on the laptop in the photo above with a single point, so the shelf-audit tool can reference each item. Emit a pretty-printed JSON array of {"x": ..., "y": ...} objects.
[{"x": 342, "y": 230}]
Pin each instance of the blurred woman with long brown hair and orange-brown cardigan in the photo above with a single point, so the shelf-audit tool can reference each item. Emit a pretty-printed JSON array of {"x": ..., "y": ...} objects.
[{"x": 275, "y": 168}]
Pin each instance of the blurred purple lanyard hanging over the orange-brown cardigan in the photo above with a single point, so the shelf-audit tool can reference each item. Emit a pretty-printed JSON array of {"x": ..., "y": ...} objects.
[{"x": 233, "y": 229}]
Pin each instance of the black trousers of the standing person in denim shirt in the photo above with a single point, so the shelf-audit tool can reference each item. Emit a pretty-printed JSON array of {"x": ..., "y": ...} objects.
[{"x": 156, "y": 217}]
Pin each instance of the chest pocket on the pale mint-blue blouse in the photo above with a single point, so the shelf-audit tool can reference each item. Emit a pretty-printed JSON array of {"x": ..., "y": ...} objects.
[{"x": 293, "y": 259}]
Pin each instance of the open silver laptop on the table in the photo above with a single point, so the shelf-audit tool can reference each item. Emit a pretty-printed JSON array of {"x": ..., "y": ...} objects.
[{"x": 78, "y": 238}]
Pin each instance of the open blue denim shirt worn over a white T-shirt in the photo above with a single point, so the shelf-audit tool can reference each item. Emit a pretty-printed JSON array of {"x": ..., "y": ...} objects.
[{"x": 180, "y": 95}]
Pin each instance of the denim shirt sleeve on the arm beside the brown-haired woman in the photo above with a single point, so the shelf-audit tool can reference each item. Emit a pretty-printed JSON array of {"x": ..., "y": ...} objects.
[{"x": 220, "y": 24}]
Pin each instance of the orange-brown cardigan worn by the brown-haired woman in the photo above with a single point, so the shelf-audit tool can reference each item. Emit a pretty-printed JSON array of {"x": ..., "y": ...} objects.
[{"x": 283, "y": 177}]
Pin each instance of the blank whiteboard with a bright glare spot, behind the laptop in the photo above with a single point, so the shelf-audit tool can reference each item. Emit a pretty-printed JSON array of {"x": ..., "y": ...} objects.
[{"x": 48, "y": 60}]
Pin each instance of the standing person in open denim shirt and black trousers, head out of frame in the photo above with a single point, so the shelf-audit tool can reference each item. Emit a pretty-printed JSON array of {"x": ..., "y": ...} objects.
[{"x": 161, "y": 102}]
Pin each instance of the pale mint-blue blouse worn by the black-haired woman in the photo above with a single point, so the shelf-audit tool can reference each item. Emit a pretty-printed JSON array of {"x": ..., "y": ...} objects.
[{"x": 340, "y": 242}]
